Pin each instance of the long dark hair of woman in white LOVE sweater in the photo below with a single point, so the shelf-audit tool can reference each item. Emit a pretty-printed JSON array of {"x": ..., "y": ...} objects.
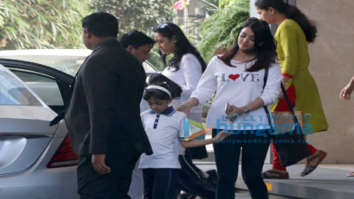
[{"x": 264, "y": 45}]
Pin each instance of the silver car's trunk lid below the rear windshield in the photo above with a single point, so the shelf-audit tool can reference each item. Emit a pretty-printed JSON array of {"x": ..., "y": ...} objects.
[{"x": 24, "y": 135}]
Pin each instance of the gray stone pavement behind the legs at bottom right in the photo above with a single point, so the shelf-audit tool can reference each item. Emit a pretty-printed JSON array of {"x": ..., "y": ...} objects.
[{"x": 326, "y": 182}]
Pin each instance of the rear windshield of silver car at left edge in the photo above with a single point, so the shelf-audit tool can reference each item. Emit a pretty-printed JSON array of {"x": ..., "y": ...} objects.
[{"x": 13, "y": 91}]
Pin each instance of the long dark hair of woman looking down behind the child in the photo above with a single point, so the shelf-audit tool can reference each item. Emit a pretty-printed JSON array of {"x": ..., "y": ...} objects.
[{"x": 183, "y": 46}]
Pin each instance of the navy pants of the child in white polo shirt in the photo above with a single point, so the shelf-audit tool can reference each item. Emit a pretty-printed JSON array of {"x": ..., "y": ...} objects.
[{"x": 160, "y": 183}]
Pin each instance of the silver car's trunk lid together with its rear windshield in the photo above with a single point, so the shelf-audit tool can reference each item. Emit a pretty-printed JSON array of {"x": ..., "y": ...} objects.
[{"x": 25, "y": 132}]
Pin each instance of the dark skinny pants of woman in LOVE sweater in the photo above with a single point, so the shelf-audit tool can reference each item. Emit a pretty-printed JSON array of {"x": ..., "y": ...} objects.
[{"x": 254, "y": 150}]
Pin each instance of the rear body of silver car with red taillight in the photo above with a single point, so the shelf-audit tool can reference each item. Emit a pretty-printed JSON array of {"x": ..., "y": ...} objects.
[{"x": 36, "y": 159}]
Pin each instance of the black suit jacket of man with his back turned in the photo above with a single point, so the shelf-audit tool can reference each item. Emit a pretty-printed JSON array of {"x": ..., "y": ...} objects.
[{"x": 104, "y": 114}]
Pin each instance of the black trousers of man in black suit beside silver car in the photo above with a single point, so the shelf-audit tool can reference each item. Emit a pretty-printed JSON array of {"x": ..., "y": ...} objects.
[{"x": 114, "y": 185}]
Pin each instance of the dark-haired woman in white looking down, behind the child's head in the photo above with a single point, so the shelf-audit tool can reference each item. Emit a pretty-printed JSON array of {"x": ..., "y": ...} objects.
[{"x": 185, "y": 67}]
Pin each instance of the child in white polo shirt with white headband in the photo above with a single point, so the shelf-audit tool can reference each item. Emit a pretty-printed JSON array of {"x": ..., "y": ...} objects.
[{"x": 164, "y": 127}]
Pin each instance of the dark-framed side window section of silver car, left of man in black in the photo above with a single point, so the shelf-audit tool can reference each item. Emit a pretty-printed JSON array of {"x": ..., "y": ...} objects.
[{"x": 51, "y": 85}]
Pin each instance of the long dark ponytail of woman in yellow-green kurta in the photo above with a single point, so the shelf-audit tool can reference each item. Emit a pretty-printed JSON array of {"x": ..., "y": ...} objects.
[{"x": 291, "y": 12}]
